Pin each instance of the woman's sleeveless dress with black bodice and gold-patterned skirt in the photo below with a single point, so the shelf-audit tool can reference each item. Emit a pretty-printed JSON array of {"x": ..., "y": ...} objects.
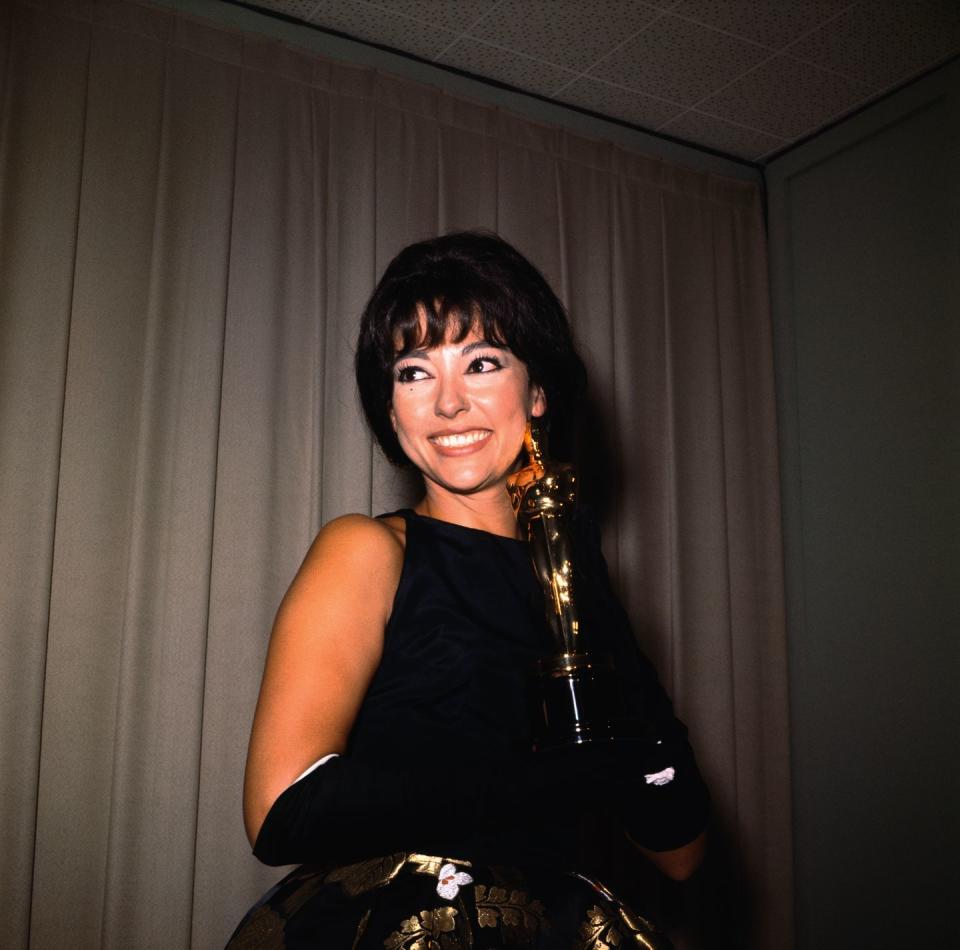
[{"x": 452, "y": 689}]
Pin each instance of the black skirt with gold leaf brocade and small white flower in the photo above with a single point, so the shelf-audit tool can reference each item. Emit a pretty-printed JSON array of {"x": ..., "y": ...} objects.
[{"x": 419, "y": 902}]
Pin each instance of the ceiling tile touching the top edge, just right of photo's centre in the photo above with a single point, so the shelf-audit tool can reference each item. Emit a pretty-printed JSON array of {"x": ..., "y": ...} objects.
[{"x": 568, "y": 33}]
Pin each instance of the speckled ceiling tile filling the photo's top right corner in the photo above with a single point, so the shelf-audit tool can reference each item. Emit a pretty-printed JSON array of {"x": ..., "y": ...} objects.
[{"x": 886, "y": 41}]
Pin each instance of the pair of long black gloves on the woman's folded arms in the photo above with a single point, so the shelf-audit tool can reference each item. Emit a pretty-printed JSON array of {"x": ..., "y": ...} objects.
[{"x": 348, "y": 809}]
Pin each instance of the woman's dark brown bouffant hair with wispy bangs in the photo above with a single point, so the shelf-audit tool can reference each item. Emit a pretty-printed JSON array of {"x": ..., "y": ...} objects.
[{"x": 460, "y": 281}]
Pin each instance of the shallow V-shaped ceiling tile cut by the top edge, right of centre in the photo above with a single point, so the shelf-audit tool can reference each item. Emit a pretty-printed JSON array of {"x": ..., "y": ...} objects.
[{"x": 772, "y": 24}]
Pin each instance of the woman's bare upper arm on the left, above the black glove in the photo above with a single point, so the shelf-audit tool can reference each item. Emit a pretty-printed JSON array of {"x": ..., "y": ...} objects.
[{"x": 326, "y": 644}]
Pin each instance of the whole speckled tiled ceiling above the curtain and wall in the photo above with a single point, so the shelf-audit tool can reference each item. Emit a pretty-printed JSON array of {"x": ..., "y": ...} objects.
[{"x": 744, "y": 77}]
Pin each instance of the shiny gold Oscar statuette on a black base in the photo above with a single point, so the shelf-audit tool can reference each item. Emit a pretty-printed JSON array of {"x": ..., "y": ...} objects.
[{"x": 577, "y": 698}]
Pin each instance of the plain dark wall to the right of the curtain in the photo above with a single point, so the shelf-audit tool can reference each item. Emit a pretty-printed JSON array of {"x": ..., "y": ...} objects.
[{"x": 865, "y": 253}]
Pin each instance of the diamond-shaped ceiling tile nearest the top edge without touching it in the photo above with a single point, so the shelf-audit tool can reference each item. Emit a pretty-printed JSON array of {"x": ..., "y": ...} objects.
[{"x": 679, "y": 60}]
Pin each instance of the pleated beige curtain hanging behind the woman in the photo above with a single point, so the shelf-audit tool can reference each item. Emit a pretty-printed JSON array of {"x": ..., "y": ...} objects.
[{"x": 190, "y": 221}]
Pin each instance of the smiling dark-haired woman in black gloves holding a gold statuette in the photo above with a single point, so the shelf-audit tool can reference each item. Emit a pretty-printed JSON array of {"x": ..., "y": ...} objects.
[{"x": 390, "y": 747}]
